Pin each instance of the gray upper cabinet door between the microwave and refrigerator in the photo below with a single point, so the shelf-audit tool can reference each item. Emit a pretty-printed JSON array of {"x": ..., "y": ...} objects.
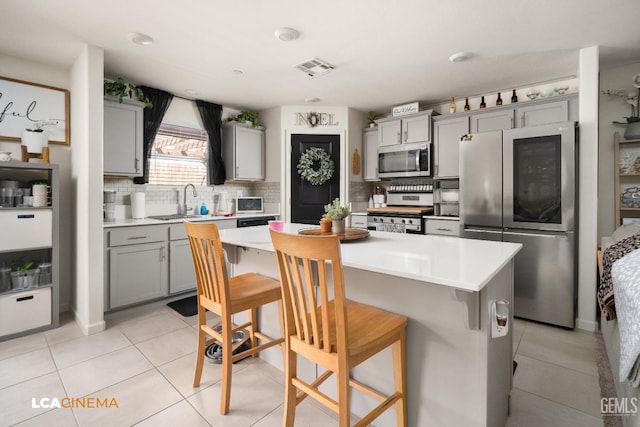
[{"x": 446, "y": 136}]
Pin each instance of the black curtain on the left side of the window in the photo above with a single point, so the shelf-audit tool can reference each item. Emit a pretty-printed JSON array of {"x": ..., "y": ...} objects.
[{"x": 152, "y": 120}]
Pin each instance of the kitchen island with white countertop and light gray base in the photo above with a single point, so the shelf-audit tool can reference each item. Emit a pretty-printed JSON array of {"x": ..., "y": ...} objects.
[{"x": 457, "y": 374}]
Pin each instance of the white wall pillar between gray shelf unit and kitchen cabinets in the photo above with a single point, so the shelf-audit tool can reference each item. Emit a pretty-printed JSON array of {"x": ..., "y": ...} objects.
[{"x": 87, "y": 126}]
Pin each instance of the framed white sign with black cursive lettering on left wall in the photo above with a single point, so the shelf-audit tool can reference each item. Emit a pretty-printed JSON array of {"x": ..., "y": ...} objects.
[{"x": 24, "y": 104}]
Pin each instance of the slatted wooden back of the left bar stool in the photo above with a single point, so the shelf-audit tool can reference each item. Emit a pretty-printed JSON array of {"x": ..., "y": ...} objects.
[{"x": 209, "y": 263}]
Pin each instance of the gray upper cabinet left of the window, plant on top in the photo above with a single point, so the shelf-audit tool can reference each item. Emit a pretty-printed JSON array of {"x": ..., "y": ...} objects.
[{"x": 122, "y": 137}]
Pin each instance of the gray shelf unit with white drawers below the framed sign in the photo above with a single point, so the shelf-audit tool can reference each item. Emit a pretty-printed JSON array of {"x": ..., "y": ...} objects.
[{"x": 30, "y": 234}]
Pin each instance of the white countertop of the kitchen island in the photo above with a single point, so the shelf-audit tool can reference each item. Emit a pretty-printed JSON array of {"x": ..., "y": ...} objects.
[{"x": 449, "y": 261}]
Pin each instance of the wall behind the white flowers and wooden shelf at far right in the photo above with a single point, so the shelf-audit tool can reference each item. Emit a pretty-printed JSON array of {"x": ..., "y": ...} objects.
[{"x": 611, "y": 108}]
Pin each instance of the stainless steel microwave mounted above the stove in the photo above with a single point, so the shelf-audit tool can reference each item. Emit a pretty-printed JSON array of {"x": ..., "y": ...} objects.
[{"x": 404, "y": 160}]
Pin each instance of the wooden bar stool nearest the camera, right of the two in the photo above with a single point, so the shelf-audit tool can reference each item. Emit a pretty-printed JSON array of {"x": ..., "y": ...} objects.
[{"x": 337, "y": 334}]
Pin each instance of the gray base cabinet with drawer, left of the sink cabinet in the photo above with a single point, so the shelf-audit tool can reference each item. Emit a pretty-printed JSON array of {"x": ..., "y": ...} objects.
[{"x": 136, "y": 265}]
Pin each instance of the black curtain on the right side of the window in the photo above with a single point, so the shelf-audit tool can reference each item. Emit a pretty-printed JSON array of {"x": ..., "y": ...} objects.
[{"x": 211, "y": 115}]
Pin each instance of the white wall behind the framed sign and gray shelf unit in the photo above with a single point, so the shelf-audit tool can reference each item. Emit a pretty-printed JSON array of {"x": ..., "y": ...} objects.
[{"x": 59, "y": 154}]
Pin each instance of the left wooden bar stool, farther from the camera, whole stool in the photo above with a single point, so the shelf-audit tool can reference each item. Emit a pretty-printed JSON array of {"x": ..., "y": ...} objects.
[{"x": 226, "y": 296}]
